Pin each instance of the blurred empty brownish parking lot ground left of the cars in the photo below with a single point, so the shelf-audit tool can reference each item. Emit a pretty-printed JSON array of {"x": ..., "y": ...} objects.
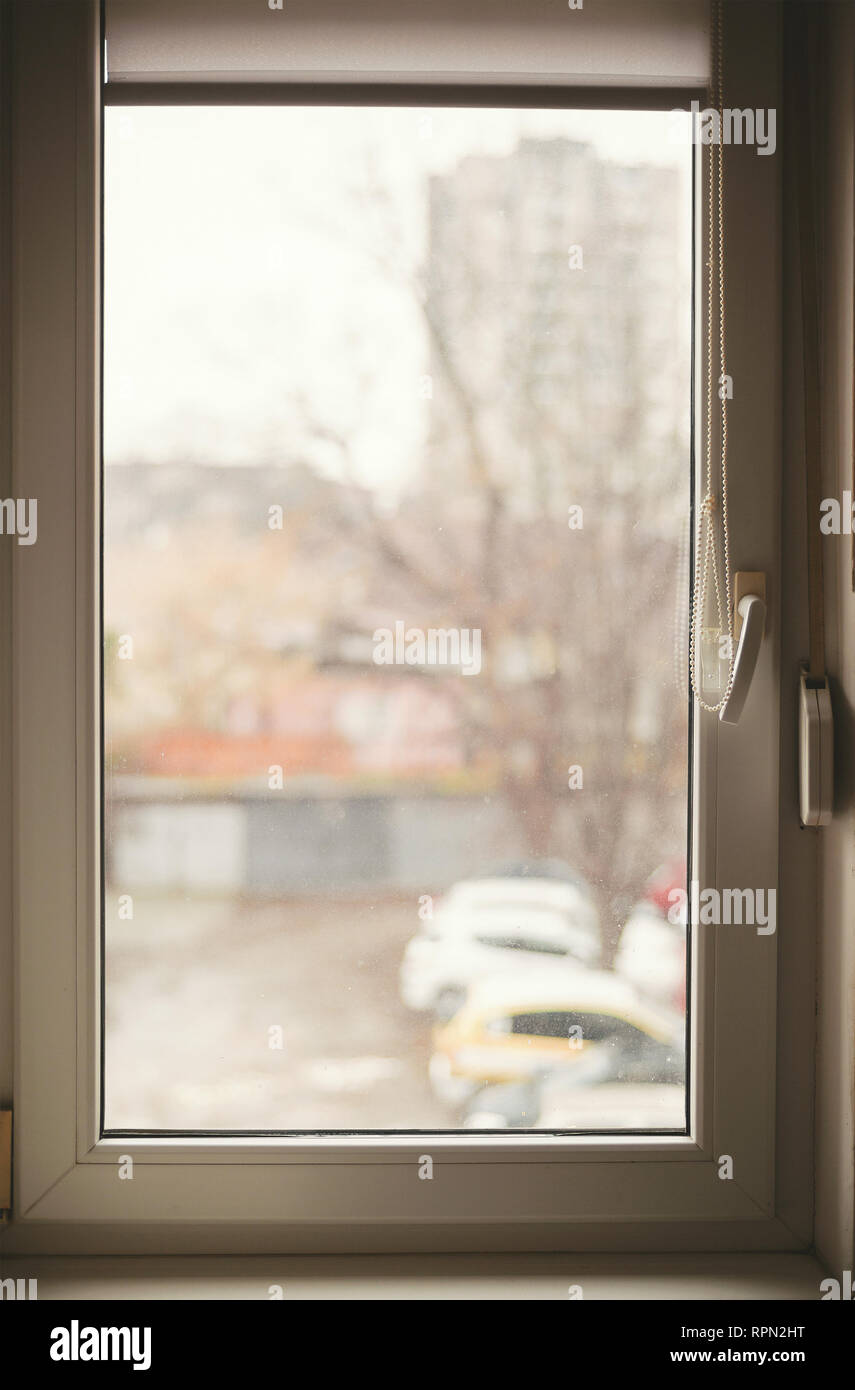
[{"x": 195, "y": 989}]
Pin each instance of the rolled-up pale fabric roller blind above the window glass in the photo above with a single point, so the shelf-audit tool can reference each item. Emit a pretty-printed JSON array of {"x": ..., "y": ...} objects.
[{"x": 605, "y": 44}]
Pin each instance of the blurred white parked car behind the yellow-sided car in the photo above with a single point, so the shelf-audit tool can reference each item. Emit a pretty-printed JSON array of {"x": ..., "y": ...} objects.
[{"x": 496, "y": 926}]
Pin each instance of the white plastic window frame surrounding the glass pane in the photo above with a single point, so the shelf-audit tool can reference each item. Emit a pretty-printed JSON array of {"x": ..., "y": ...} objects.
[{"x": 344, "y": 1193}]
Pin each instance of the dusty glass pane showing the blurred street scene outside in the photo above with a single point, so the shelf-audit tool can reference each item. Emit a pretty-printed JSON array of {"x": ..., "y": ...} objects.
[{"x": 397, "y": 482}]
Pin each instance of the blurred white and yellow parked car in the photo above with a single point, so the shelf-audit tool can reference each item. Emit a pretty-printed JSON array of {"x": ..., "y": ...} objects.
[{"x": 585, "y": 1022}]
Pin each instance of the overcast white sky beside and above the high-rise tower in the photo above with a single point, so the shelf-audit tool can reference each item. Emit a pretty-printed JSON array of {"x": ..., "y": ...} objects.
[{"x": 238, "y": 270}]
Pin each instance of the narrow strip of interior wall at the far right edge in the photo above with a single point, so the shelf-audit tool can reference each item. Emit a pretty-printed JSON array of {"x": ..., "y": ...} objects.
[{"x": 836, "y": 963}]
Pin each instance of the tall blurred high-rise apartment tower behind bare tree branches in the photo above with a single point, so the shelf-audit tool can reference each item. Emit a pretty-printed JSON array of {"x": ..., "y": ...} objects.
[{"x": 560, "y": 288}]
